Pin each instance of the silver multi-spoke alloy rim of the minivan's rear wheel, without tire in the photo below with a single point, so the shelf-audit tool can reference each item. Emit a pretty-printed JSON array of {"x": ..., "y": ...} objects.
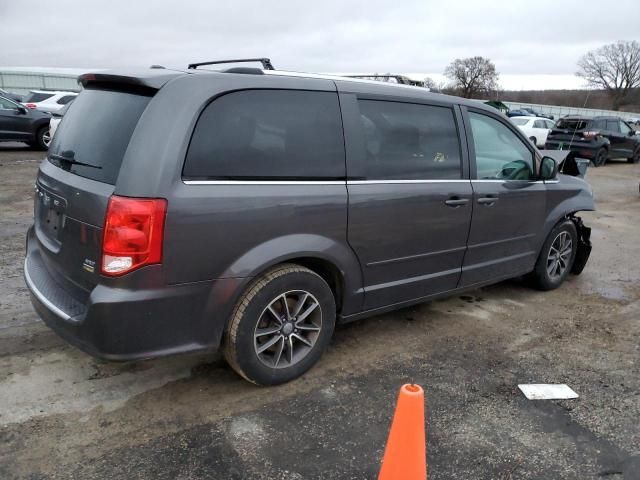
[{"x": 288, "y": 329}]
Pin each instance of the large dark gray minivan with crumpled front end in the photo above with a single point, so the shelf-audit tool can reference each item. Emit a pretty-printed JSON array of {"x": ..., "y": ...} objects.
[{"x": 252, "y": 209}]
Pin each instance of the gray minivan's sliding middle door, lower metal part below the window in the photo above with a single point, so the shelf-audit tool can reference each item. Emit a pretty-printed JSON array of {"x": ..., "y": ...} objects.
[{"x": 409, "y": 241}]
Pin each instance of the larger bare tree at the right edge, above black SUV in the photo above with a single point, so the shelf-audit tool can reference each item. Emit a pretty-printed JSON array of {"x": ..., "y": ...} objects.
[{"x": 614, "y": 68}]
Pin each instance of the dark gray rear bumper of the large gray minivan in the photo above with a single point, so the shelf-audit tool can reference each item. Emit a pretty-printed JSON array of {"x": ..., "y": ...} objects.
[{"x": 129, "y": 324}]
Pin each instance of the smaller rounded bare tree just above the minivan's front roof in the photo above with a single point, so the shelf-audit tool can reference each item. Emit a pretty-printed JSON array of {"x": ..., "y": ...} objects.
[{"x": 472, "y": 76}]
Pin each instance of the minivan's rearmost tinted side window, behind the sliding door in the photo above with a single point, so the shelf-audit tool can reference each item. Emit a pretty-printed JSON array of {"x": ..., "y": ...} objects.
[{"x": 268, "y": 134}]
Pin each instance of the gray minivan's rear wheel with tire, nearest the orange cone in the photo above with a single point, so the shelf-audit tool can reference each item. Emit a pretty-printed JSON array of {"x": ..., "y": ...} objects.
[{"x": 280, "y": 326}]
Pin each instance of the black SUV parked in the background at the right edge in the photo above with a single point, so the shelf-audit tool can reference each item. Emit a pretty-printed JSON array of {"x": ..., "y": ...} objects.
[{"x": 598, "y": 139}]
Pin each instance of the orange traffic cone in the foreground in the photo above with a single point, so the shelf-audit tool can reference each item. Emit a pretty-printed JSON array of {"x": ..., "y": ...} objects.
[{"x": 405, "y": 457}]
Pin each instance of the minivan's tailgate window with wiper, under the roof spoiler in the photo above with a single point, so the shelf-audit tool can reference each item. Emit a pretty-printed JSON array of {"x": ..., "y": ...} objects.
[{"x": 96, "y": 131}]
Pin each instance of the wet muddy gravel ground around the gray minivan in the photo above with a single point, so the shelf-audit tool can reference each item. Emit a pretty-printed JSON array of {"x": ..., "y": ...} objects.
[{"x": 66, "y": 415}]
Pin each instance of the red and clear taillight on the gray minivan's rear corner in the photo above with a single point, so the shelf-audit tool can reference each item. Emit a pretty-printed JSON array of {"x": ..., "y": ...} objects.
[{"x": 133, "y": 234}]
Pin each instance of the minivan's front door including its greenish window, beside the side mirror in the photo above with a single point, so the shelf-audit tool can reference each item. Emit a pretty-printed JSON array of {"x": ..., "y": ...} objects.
[{"x": 509, "y": 206}]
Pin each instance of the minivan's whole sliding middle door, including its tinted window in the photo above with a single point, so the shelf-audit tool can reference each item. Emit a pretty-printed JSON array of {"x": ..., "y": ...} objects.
[{"x": 409, "y": 196}]
